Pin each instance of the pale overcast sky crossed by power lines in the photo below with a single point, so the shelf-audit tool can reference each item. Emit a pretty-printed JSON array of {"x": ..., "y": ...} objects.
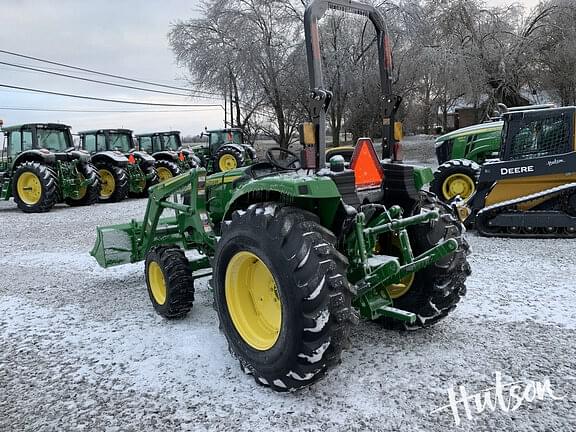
[{"x": 124, "y": 37}]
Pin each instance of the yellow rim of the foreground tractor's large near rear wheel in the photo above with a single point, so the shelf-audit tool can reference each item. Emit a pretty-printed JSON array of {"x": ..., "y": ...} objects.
[{"x": 253, "y": 302}]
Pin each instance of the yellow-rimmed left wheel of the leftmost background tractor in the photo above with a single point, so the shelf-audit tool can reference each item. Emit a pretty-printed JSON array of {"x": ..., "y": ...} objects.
[{"x": 35, "y": 188}]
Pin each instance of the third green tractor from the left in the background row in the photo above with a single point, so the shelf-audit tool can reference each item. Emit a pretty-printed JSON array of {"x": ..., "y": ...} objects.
[{"x": 171, "y": 158}]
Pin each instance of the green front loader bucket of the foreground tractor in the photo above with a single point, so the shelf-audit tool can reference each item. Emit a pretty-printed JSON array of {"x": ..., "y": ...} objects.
[{"x": 116, "y": 244}]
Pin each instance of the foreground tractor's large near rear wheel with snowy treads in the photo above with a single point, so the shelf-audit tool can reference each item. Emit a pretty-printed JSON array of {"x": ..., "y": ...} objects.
[{"x": 283, "y": 256}]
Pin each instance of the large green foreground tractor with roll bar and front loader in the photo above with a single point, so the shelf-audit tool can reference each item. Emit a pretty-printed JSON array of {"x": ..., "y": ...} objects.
[{"x": 295, "y": 258}]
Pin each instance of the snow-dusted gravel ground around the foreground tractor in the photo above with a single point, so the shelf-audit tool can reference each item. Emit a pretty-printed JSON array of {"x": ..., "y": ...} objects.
[{"x": 82, "y": 349}]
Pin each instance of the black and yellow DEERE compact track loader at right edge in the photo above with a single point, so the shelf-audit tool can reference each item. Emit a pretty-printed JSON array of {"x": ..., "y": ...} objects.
[{"x": 531, "y": 190}]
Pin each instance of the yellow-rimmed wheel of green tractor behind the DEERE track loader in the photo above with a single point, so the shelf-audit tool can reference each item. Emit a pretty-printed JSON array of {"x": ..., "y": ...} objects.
[{"x": 455, "y": 177}]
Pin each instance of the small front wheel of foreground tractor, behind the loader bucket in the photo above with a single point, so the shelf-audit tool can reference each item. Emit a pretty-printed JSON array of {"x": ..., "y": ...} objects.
[{"x": 169, "y": 281}]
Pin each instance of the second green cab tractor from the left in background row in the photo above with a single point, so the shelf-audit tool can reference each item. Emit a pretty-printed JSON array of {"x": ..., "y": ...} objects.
[{"x": 110, "y": 148}]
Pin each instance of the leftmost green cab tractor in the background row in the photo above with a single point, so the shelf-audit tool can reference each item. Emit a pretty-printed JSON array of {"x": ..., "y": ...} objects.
[{"x": 39, "y": 167}]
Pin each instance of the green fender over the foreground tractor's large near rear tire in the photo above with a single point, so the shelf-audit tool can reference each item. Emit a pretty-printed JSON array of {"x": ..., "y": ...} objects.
[{"x": 317, "y": 194}]
